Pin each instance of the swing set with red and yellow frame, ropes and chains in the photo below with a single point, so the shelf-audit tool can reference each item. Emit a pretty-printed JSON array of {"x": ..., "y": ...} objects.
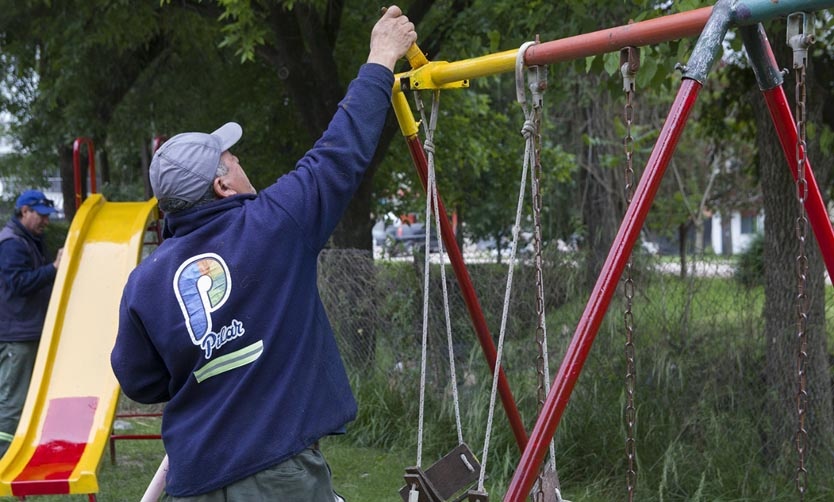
[{"x": 453, "y": 476}]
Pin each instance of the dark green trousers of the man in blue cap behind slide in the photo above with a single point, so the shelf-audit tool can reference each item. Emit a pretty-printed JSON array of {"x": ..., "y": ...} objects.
[{"x": 17, "y": 359}]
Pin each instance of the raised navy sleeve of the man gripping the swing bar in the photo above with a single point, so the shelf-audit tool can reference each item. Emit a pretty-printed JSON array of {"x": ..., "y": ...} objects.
[{"x": 316, "y": 193}]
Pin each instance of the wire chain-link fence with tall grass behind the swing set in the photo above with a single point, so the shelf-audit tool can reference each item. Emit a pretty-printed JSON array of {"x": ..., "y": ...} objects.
[{"x": 700, "y": 351}]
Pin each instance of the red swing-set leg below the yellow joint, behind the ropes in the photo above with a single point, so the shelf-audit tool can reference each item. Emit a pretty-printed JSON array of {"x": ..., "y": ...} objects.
[{"x": 469, "y": 297}]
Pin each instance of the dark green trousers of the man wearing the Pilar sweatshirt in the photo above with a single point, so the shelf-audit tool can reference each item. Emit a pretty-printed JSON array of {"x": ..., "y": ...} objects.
[{"x": 303, "y": 478}]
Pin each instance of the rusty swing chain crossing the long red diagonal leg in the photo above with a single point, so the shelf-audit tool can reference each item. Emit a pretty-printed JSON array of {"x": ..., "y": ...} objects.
[{"x": 629, "y": 64}]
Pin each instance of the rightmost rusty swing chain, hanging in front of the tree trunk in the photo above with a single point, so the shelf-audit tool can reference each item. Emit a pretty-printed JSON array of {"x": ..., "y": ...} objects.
[{"x": 802, "y": 303}]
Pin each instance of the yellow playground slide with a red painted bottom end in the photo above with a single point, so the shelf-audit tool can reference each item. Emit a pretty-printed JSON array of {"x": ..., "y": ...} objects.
[{"x": 66, "y": 422}]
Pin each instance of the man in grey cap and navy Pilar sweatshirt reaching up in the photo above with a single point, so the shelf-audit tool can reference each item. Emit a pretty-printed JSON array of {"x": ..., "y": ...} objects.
[{"x": 224, "y": 320}]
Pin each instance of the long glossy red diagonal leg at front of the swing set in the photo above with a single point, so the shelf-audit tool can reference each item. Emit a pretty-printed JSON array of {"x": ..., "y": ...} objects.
[{"x": 602, "y": 293}]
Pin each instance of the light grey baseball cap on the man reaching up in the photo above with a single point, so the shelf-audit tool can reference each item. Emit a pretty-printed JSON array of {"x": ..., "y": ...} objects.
[{"x": 185, "y": 165}]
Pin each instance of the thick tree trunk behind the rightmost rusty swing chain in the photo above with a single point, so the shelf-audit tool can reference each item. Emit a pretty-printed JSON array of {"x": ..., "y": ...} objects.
[{"x": 780, "y": 310}]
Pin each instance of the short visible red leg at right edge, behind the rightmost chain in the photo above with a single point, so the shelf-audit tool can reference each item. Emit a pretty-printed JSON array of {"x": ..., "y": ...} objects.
[{"x": 785, "y": 124}]
